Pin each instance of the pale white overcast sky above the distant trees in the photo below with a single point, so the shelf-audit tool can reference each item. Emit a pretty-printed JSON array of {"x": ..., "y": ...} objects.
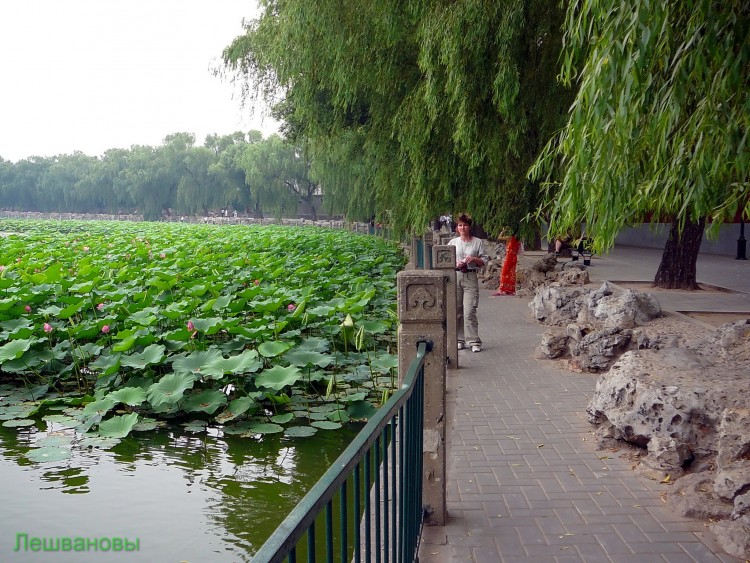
[{"x": 90, "y": 75}]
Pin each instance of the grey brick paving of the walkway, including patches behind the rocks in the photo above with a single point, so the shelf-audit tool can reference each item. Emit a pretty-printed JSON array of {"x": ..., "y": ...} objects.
[{"x": 525, "y": 479}]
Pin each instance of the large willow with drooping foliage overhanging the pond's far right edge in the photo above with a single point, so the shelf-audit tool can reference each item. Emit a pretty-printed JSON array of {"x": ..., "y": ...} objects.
[{"x": 412, "y": 109}]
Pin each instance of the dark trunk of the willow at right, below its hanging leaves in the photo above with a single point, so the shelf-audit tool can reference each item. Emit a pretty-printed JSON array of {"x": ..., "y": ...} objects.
[{"x": 677, "y": 267}]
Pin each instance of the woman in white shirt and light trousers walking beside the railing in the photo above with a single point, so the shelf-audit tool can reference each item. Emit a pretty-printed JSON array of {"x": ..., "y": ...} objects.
[{"x": 470, "y": 257}]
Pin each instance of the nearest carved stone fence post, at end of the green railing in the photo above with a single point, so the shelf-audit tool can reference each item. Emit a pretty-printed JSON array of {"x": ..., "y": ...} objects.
[{"x": 422, "y": 315}]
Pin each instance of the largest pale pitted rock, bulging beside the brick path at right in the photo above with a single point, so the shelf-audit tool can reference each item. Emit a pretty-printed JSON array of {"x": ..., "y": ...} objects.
[{"x": 645, "y": 395}]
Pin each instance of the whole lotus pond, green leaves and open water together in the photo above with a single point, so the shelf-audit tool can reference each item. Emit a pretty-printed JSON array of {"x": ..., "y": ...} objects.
[{"x": 155, "y": 360}]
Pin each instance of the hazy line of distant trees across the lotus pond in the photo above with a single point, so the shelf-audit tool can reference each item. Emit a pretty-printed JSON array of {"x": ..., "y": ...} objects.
[{"x": 238, "y": 172}]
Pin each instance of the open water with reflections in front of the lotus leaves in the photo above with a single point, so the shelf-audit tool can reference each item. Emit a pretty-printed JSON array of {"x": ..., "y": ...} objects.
[{"x": 192, "y": 497}]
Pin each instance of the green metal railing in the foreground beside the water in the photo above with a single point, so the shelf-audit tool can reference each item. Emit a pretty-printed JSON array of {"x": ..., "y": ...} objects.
[{"x": 368, "y": 505}]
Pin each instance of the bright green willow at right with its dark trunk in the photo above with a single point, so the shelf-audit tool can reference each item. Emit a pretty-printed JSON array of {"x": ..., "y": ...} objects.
[{"x": 659, "y": 129}]
